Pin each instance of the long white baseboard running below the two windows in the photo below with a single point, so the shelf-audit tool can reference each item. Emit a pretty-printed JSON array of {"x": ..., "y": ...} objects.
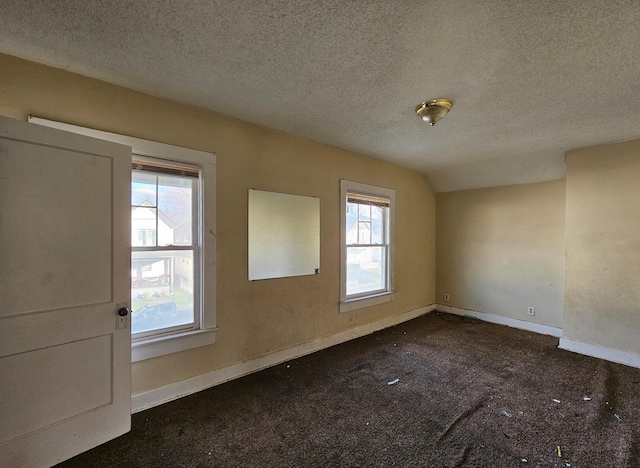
[{"x": 157, "y": 396}]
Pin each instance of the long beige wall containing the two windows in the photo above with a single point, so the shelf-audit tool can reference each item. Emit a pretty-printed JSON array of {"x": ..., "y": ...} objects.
[{"x": 255, "y": 318}]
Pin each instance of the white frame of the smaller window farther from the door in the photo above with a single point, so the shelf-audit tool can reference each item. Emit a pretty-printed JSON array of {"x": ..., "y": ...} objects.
[{"x": 358, "y": 301}]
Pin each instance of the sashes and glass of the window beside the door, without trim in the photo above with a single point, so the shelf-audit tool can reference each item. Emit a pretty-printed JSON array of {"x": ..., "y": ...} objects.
[{"x": 165, "y": 251}]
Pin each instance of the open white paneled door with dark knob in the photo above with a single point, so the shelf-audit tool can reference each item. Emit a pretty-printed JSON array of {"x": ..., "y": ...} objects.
[{"x": 65, "y": 352}]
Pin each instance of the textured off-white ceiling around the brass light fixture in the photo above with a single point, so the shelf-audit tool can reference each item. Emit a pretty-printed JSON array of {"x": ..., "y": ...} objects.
[{"x": 529, "y": 79}]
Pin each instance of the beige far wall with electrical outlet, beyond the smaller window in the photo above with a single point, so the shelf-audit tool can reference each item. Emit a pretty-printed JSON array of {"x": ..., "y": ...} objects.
[{"x": 501, "y": 249}]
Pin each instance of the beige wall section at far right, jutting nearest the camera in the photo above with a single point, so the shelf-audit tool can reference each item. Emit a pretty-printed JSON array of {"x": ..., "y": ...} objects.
[{"x": 602, "y": 299}]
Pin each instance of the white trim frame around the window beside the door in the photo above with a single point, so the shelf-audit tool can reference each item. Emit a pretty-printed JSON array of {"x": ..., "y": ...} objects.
[{"x": 167, "y": 343}]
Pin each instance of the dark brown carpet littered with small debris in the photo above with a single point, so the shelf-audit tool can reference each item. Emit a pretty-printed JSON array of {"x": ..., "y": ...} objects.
[{"x": 466, "y": 393}]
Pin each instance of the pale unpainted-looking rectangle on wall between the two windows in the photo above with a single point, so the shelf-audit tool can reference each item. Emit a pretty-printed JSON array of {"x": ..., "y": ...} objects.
[{"x": 284, "y": 235}]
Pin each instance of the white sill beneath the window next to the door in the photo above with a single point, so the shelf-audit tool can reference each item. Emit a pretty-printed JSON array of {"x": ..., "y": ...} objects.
[{"x": 162, "y": 345}]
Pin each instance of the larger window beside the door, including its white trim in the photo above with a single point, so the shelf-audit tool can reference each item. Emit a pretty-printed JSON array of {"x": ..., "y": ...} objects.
[{"x": 173, "y": 225}]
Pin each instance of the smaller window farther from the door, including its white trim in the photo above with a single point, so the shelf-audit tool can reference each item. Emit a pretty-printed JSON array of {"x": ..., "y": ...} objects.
[{"x": 366, "y": 232}]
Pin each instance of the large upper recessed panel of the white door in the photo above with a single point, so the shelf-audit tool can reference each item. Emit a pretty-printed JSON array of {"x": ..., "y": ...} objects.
[{"x": 42, "y": 203}]
